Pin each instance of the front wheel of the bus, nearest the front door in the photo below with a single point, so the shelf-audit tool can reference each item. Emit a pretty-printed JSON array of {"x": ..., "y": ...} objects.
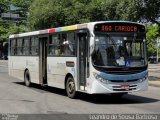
[{"x": 70, "y": 87}]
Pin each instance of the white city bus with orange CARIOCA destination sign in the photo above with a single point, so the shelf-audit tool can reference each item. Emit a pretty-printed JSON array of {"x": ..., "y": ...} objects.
[{"x": 95, "y": 58}]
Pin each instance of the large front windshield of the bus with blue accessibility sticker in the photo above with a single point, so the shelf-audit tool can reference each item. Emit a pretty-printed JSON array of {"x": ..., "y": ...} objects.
[{"x": 119, "y": 50}]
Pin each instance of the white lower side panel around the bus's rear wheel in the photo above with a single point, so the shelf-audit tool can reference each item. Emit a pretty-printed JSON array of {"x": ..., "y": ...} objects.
[{"x": 18, "y": 64}]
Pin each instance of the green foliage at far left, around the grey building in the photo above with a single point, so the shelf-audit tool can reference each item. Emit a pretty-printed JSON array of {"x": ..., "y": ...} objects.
[{"x": 7, "y": 27}]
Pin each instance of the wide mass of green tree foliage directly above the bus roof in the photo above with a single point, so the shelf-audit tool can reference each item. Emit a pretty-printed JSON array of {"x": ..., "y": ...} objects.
[{"x": 54, "y": 13}]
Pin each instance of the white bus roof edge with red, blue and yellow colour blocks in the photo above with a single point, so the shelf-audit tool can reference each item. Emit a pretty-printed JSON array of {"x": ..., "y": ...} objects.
[{"x": 65, "y": 28}]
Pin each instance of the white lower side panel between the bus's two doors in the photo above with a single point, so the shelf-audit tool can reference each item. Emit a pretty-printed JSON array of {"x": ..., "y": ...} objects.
[{"x": 57, "y": 71}]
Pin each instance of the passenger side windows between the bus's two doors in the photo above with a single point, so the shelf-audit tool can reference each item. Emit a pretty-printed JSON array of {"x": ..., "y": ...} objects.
[{"x": 66, "y": 46}]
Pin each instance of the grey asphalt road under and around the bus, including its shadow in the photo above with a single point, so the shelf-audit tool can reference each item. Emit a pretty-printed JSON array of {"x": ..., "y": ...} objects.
[{"x": 15, "y": 98}]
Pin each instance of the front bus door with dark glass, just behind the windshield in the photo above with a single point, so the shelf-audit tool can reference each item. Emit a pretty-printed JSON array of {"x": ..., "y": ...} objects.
[{"x": 82, "y": 59}]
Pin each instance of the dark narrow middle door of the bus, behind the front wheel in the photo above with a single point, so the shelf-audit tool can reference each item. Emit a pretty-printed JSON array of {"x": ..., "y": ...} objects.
[{"x": 43, "y": 60}]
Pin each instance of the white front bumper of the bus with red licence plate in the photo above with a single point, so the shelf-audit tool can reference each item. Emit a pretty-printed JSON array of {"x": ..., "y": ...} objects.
[{"x": 101, "y": 88}]
